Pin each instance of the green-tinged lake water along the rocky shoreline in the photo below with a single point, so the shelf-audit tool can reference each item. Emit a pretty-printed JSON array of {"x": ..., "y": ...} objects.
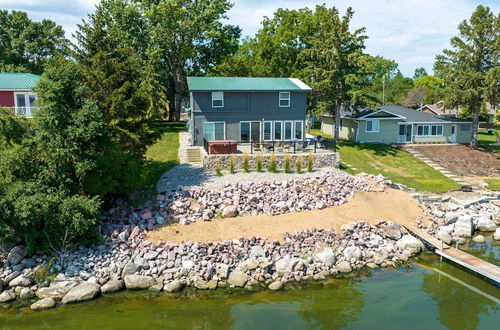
[{"x": 424, "y": 295}]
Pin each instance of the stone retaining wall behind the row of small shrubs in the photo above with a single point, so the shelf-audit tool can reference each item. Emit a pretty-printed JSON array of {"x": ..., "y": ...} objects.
[{"x": 321, "y": 160}]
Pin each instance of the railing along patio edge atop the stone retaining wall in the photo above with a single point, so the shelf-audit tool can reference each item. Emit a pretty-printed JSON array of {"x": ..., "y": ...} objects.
[{"x": 293, "y": 147}]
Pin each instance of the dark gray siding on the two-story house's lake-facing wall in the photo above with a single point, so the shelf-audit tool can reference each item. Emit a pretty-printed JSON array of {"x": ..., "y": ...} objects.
[{"x": 244, "y": 106}]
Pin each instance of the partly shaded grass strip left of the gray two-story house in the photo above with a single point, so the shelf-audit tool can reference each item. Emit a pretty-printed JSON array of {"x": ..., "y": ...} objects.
[{"x": 163, "y": 154}]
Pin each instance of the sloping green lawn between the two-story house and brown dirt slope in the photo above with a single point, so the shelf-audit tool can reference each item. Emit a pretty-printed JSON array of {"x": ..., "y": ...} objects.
[{"x": 393, "y": 163}]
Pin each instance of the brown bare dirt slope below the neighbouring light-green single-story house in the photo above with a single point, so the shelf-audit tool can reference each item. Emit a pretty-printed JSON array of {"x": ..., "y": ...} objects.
[{"x": 463, "y": 160}]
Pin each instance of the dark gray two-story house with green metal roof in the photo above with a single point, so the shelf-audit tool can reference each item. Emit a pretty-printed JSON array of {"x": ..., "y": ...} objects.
[{"x": 247, "y": 109}]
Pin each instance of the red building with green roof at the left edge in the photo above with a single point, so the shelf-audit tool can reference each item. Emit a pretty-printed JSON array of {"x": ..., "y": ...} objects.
[{"x": 16, "y": 93}]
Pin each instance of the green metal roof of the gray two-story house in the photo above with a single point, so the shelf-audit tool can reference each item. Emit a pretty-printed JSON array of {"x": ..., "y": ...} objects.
[{"x": 245, "y": 84}]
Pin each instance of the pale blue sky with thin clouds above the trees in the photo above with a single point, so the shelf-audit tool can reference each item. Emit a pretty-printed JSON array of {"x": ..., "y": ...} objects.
[{"x": 411, "y": 32}]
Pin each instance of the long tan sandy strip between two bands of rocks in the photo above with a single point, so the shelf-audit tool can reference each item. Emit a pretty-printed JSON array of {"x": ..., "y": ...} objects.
[{"x": 394, "y": 205}]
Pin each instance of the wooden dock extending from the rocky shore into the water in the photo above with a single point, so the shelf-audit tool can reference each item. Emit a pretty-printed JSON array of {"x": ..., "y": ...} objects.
[{"x": 473, "y": 264}]
